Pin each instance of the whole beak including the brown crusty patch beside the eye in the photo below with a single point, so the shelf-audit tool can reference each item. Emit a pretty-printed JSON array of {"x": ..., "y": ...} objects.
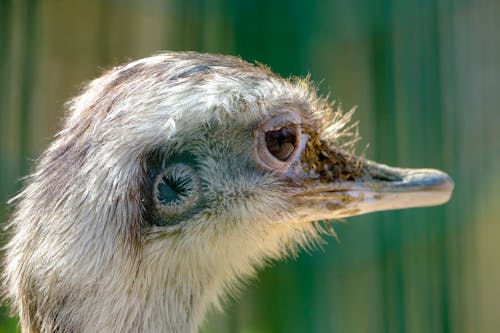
[{"x": 336, "y": 184}]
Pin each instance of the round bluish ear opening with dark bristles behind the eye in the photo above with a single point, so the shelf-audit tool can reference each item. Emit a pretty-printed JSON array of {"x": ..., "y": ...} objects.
[{"x": 175, "y": 191}]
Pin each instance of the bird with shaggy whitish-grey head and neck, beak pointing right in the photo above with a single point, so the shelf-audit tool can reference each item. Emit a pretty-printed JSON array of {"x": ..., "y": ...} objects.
[{"x": 176, "y": 177}]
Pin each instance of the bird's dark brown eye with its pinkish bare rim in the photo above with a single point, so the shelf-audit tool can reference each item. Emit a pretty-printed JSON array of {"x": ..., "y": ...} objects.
[{"x": 277, "y": 141}]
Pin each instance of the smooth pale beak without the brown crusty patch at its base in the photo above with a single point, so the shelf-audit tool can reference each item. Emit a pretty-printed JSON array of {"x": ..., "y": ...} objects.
[{"x": 377, "y": 187}]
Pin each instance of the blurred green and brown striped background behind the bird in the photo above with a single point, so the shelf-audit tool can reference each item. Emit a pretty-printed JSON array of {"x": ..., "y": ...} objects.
[{"x": 425, "y": 76}]
